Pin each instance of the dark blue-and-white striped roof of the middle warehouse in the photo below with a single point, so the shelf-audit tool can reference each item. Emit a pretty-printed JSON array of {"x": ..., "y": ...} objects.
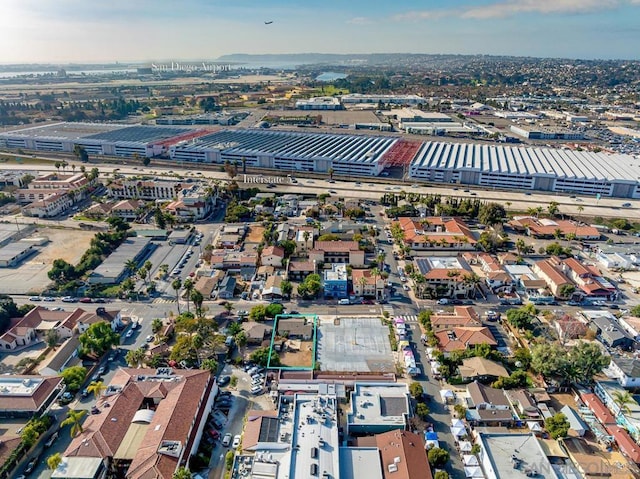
[{"x": 282, "y": 144}]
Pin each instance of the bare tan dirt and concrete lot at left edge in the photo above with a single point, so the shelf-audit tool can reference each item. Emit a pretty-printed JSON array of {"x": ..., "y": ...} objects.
[{"x": 30, "y": 276}]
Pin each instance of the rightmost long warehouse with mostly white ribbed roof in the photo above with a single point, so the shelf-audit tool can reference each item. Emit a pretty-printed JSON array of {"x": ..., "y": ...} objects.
[{"x": 545, "y": 169}]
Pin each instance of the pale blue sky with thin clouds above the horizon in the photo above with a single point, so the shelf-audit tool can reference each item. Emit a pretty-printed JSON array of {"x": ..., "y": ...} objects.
[{"x": 146, "y": 30}]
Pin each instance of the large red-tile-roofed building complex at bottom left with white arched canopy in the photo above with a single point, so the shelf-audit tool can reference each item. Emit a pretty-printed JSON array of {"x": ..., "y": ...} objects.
[{"x": 153, "y": 424}]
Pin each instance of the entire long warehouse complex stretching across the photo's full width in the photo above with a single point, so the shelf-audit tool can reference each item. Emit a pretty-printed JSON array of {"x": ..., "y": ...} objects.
[{"x": 486, "y": 165}]
